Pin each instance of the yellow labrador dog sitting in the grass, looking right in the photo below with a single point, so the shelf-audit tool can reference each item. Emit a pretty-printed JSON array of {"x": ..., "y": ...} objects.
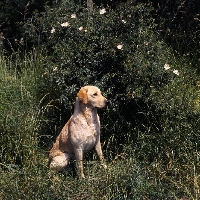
[{"x": 81, "y": 133}]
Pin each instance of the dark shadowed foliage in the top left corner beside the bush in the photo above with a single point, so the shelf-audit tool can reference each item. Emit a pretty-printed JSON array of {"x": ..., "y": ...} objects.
[{"x": 13, "y": 15}]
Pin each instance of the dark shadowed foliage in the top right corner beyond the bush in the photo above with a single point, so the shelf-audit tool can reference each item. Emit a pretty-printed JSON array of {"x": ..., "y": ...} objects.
[{"x": 179, "y": 23}]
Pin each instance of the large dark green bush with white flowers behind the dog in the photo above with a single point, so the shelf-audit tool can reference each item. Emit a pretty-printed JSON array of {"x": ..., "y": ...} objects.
[{"x": 119, "y": 51}]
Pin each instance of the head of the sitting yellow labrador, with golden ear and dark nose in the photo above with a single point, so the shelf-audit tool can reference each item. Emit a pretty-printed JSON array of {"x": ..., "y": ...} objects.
[{"x": 91, "y": 96}]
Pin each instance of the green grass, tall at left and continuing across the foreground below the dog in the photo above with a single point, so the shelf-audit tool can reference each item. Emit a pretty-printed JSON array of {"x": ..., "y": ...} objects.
[{"x": 23, "y": 164}]
